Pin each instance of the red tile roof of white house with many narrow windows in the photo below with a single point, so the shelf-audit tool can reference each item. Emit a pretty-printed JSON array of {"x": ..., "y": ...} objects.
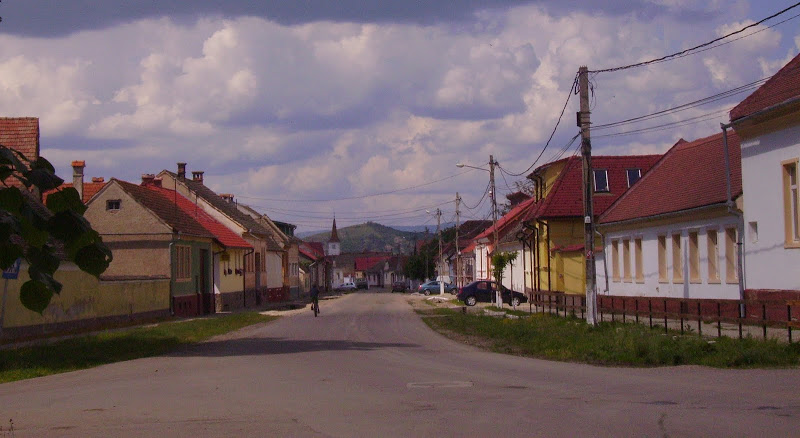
[{"x": 690, "y": 175}]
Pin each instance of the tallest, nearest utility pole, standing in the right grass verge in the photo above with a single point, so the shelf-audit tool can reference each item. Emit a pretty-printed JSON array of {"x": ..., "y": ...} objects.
[{"x": 588, "y": 190}]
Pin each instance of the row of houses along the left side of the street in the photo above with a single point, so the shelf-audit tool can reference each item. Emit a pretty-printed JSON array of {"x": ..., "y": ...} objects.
[{"x": 179, "y": 248}]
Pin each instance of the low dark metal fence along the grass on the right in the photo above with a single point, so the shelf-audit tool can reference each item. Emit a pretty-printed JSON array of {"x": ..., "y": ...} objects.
[{"x": 744, "y": 315}]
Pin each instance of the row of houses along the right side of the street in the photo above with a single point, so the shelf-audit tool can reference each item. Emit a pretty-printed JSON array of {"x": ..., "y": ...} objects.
[{"x": 716, "y": 217}]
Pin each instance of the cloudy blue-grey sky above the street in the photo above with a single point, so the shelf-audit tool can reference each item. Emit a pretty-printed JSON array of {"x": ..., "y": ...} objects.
[{"x": 362, "y": 109}]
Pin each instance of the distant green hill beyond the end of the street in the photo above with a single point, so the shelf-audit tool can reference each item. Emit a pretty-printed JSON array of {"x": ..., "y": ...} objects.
[{"x": 372, "y": 236}]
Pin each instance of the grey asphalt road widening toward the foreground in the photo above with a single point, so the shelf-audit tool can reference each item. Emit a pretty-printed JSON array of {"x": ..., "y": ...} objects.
[{"x": 368, "y": 366}]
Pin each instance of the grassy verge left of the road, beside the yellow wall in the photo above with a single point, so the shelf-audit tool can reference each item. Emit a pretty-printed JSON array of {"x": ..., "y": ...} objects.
[{"x": 107, "y": 347}]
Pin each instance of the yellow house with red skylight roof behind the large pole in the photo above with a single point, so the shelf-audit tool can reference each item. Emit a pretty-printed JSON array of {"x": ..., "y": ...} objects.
[{"x": 553, "y": 231}]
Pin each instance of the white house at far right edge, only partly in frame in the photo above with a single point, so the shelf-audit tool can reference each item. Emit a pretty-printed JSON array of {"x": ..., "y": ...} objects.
[{"x": 768, "y": 124}]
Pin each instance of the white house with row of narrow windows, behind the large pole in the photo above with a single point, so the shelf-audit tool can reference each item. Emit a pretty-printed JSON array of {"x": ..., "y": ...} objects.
[{"x": 674, "y": 233}]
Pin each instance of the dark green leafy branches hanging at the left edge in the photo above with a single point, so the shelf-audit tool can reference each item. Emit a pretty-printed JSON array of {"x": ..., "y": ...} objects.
[{"x": 38, "y": 233}]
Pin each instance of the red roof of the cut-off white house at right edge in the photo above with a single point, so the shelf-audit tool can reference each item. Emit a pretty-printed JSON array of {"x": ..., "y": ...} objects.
[{"x": 781, "y": 87}]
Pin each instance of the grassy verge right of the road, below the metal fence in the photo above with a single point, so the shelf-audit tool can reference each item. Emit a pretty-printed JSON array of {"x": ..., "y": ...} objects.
[{"x": 549, "y": 337}]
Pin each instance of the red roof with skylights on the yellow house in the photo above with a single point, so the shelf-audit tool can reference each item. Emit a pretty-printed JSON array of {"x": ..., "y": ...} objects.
[{"x": 565, "y": 199}]
